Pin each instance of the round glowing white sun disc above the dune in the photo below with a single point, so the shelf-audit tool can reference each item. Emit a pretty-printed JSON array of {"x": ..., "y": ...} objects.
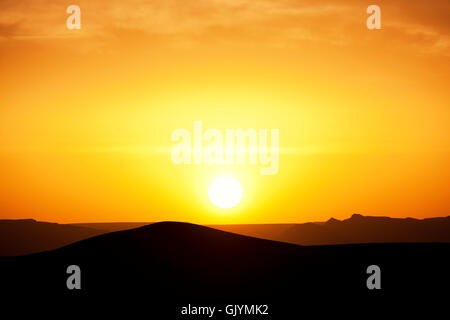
[{"x": 225, "y": 192}]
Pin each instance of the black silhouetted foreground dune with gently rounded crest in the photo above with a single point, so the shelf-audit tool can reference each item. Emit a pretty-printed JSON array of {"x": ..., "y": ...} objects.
[{"x": 168, "y": 265}]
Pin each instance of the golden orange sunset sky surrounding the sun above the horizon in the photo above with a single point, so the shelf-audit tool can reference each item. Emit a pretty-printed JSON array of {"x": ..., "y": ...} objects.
[{"x": 86, "y": 116}]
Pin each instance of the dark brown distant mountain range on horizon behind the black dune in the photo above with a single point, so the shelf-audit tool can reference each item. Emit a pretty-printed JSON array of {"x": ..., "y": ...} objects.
[{"x": 19, "y": 237}]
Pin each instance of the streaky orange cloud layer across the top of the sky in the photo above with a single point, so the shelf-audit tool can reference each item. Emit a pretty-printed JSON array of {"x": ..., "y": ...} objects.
[{"x": 231, "y": 22}]
